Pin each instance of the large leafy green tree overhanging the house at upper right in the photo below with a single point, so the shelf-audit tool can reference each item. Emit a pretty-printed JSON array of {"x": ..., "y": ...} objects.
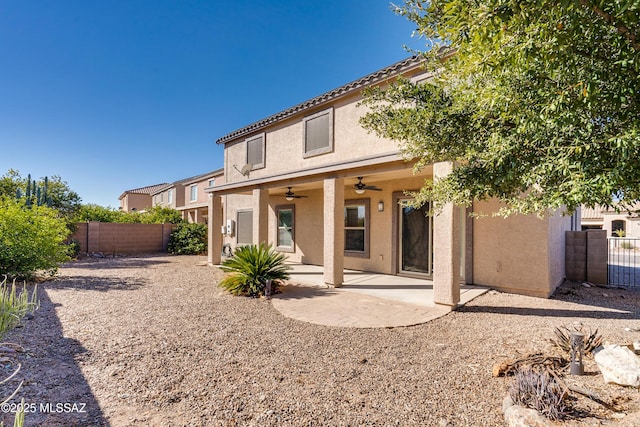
[{"x": 536, "y": 102}]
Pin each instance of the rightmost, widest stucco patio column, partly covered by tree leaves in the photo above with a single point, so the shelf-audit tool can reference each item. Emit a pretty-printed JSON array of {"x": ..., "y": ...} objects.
[{"x": 446, "y": 247}]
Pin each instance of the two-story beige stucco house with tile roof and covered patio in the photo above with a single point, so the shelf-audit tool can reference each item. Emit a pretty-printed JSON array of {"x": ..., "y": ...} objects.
[{"x": 313, "y": 183}]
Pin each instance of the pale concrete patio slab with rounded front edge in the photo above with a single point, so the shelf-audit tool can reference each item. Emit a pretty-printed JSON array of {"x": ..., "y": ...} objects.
[{"x": 366, "y": 300}]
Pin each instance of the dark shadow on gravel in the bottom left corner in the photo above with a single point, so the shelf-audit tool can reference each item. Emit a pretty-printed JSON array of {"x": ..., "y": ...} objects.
[{"x": 55, "y": 391}]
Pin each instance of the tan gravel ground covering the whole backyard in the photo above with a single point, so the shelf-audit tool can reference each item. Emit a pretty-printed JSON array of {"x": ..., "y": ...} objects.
[{"x": 151, "y": 341}]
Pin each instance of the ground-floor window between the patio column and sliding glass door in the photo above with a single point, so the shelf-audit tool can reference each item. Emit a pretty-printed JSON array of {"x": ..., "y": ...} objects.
[{"x": 356, "y": 227}]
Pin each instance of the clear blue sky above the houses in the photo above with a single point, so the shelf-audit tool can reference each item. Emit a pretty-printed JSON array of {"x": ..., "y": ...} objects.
[{"x": 119, "y": 94}]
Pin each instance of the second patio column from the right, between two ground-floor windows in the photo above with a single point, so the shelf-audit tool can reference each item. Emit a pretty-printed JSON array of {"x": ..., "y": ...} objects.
[{"x": 334, "y": 231}]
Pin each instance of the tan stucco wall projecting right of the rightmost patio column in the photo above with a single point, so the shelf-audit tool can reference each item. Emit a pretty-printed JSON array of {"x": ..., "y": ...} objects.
[{"x": 520, "y": 254}]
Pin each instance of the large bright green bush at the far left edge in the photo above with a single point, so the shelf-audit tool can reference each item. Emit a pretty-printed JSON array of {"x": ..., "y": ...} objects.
[{"x": 31, "y": 239}]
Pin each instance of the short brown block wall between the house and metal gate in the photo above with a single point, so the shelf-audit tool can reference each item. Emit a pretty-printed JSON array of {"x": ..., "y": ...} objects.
[{"x": 586, "y": 256}]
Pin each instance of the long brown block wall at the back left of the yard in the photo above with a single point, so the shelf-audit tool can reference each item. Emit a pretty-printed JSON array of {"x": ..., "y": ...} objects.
[{"x": 115, "y": 238}]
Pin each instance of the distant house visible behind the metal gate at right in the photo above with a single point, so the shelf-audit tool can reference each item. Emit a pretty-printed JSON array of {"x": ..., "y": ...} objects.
[{"x": 625, "y": 222}]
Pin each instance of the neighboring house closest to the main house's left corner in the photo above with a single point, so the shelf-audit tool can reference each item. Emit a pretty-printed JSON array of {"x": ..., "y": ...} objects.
[{"x": 196, "y": 200}]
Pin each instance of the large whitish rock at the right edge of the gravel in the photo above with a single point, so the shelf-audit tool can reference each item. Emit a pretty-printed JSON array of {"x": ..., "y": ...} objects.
[{"x": 618, "y": 365}]
